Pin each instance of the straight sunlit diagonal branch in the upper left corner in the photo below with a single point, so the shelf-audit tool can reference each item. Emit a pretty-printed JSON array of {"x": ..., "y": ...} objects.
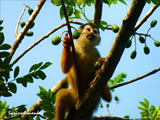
[{"x": 25, "y": 29}]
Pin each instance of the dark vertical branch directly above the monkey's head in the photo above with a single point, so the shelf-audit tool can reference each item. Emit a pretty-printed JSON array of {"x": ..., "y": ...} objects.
[{"x": 98, "y": 12}]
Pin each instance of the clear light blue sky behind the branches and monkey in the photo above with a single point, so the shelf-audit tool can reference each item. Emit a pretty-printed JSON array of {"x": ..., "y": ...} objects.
[{"x": 48, "y": 19}]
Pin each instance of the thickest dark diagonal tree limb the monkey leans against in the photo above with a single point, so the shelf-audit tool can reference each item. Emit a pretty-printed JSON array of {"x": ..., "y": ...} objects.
[{"x": 94, "y": 92}]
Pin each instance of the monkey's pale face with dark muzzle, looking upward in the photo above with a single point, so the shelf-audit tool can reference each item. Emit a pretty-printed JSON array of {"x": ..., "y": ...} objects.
[{"x": 89, "y": 36}]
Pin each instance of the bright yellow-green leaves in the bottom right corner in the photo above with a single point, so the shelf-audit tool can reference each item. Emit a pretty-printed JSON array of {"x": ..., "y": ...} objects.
[{"x": 149, "y": 111}]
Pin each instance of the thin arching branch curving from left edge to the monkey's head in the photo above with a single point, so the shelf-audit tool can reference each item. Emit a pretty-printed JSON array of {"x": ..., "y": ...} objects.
[{"x": 40, "y": 40}]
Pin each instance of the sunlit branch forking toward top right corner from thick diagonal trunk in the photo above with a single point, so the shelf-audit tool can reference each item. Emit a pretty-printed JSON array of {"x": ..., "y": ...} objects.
[{"x": 138, "y": 25}]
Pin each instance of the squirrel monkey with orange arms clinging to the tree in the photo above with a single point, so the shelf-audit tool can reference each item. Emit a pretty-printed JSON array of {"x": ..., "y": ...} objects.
[{"x": 86, "y": 57}]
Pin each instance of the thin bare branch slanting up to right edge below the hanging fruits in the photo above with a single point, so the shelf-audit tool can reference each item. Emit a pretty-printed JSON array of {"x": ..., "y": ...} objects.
[{"x": 136, "y": 79}]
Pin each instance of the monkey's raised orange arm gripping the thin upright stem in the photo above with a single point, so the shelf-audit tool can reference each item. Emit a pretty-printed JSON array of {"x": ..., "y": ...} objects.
[{"x": 66, "y": 58}]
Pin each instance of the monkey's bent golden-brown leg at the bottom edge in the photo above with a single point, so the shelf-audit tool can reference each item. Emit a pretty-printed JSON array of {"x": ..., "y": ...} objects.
[{"x": 65, "y": 100}]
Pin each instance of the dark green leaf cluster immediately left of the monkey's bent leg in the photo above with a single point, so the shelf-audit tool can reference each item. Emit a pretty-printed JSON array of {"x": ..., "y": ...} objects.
[{"x": 47, "y": 102}]
